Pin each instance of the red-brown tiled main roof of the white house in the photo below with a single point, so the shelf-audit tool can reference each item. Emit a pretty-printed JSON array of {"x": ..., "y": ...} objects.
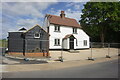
[{"x": 63, "y": 21}]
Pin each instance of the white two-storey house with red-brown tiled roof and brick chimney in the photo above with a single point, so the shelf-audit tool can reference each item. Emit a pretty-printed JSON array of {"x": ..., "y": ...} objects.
[{"x": 65, "y": 33}]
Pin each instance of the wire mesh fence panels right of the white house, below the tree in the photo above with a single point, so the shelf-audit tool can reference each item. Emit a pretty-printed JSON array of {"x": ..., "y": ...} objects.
[{"x": 103, "y": 50}]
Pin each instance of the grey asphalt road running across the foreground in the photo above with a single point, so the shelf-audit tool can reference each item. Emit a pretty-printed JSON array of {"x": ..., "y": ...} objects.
[{"x": 107, "y": 69}]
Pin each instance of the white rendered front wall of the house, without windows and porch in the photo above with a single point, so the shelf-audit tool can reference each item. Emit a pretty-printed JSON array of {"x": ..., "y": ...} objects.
[{"x": 65, "y": 31}]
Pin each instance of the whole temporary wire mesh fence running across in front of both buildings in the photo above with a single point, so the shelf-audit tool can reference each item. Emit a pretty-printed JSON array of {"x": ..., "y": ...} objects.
[{"x": 94, "y": 51}]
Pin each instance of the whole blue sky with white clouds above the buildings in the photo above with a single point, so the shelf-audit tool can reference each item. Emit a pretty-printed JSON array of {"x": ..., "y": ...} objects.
[{"x": 27, "y": 14}]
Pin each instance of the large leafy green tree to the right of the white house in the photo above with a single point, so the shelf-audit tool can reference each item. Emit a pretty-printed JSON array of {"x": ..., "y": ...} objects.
[{"x": 100, "y": 17}]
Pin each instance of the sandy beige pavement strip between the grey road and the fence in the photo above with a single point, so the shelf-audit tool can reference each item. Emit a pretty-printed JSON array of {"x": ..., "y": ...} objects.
[{"x": 54, "y": 65}]
